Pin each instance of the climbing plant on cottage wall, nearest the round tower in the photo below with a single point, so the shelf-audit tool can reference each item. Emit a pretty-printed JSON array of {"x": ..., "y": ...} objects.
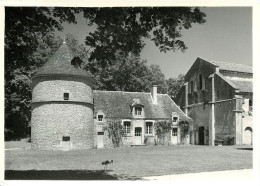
[{"x": 115, "y": 132}]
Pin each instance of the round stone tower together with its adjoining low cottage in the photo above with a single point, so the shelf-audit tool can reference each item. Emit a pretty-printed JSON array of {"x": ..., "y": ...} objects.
[{"x": 68, "y": 114}]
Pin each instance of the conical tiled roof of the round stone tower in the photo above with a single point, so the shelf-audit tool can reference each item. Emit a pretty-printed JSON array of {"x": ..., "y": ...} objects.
[{"x": 60, "y": 64}]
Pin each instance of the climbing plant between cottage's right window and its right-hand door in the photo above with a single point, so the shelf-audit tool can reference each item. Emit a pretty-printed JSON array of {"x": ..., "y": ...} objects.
[{"x": 163, "y": 132}]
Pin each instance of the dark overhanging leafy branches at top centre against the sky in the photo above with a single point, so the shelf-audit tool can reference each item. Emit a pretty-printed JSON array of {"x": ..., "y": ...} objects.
[{"x": 125, "y": 28}]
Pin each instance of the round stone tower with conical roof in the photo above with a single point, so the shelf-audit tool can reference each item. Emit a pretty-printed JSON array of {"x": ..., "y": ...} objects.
[{"x": 62, "y": 105}]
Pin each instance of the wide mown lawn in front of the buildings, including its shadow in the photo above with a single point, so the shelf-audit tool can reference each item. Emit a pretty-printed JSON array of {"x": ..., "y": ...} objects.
[{"x": 129, "y": 163}]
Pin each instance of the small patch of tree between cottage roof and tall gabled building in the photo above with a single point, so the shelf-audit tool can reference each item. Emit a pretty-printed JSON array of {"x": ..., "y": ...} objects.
[{"x": 174, "y": 85}]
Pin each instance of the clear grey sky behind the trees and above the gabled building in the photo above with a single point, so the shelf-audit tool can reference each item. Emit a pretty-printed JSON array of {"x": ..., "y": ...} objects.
[{"x": 226, "y": 36}]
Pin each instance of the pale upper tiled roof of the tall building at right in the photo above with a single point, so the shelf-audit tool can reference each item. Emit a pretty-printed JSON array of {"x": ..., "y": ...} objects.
[{"x": 232, "y": 66}]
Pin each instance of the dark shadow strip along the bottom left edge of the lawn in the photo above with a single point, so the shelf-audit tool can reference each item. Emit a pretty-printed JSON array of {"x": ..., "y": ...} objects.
[{"x": 64, "y": 175}]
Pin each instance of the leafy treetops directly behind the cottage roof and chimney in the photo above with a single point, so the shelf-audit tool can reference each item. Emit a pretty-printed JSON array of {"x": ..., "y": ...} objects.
[{"x": 127, "y": 73}]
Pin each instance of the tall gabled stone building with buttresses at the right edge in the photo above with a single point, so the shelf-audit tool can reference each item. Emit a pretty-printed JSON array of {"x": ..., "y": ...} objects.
[{"x": 218, "y": 96}]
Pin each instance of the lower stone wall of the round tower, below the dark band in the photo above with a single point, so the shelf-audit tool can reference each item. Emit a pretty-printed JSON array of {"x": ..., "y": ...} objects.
[{"x": 50, "y": 122}]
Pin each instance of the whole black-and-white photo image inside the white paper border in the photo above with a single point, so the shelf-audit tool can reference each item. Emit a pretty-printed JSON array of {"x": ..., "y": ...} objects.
[{"x": 127, "y": 93}]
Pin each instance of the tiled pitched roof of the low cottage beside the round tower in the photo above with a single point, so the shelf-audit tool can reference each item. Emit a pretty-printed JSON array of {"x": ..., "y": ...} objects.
[{"x": 117, "y": 104}]
